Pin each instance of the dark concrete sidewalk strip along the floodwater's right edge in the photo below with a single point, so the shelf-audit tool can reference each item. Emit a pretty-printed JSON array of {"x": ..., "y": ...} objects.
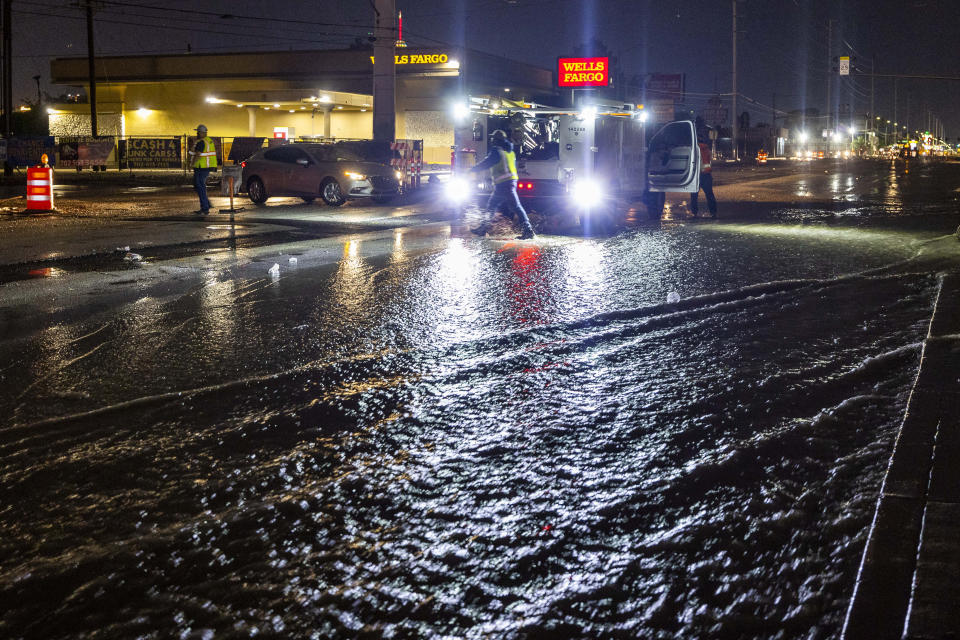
[{"x": 909, "y": 580}]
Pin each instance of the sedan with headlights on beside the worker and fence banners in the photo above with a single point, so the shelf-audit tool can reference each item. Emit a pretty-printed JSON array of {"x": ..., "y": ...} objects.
[{"x": 315, "y": 170}]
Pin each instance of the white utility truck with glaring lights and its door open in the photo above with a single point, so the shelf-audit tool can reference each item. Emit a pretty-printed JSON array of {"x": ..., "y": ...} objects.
[{"x": 589, "y": 162}]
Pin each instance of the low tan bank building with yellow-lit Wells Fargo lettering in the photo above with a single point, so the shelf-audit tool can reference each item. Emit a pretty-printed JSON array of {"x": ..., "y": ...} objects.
[{"x": 325, "y": 93}]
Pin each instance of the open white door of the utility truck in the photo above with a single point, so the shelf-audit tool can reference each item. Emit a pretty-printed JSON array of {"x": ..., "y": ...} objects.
[{"x": 673, "y": 159}]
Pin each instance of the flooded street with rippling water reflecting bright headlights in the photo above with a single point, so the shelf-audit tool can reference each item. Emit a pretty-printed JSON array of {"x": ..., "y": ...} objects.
[{"x": 439, "y": 436}]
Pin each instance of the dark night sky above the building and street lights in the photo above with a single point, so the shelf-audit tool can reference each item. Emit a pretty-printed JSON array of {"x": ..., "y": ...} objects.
[{"x": 782, "y": 47}]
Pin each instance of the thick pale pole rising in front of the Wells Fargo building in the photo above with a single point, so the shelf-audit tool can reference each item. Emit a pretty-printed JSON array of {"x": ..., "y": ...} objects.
[{"x": 384, "y": 72}]
